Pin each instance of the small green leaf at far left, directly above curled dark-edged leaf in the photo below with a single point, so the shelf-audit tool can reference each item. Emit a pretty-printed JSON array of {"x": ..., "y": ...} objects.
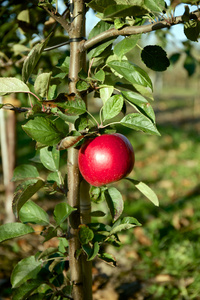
[{"x": 25, "y": 171}]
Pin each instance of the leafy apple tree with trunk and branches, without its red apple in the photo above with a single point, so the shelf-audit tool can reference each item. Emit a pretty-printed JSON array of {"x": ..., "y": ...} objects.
[{"x": 57, "y": 88}]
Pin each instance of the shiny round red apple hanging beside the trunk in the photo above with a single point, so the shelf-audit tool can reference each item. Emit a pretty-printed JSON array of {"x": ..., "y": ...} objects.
[{"x": 106, "y": 158}]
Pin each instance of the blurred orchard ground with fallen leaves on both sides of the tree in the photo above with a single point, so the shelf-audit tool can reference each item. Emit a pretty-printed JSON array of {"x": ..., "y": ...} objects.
[{"x": 159, "y": 260}]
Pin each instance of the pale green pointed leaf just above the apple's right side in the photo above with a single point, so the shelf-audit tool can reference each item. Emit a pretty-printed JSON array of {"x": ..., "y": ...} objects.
[{"x": 137, "y": 121}]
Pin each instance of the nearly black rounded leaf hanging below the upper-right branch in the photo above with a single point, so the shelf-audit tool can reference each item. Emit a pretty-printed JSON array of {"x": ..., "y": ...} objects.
[{"x": 155, "y": 58}]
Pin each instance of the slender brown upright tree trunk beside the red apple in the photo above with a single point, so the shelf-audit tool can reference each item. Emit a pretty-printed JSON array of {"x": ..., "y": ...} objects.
[{"x": 79, "y": 268}]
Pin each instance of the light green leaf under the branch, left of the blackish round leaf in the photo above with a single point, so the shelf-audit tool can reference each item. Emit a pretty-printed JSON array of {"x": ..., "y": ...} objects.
[{"x": 126, "y": 45}]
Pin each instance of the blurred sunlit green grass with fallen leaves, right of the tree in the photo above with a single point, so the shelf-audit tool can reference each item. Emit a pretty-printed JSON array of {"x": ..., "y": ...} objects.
[{"x": 167, "y": 246}]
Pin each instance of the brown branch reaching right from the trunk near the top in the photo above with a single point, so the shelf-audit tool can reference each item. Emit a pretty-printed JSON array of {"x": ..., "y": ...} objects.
[{"x": 132, "y": 30}]
